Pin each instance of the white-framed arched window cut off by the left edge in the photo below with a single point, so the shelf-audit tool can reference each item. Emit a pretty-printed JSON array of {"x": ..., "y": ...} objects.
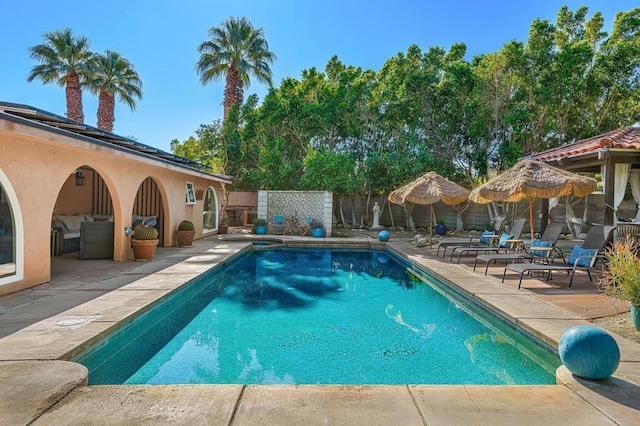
[{"x": 11, "y": 257}]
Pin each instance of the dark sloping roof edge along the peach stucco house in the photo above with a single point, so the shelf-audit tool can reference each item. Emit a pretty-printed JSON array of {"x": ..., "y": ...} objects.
[{"x": 58, "y": 124}]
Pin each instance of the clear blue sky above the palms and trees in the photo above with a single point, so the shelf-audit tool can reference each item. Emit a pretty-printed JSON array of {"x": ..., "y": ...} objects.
[{"x": 160, "y": 38}]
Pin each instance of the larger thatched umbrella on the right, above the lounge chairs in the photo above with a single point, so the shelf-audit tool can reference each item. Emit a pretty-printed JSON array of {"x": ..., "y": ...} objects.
[{"x": 532, "y": 179}]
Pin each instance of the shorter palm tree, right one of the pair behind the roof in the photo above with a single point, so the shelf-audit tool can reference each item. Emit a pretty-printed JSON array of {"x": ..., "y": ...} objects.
[{"x": 111, "y": 76}]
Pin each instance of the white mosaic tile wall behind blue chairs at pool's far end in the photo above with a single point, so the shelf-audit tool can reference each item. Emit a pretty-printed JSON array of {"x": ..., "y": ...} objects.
[{"x": 299, "y": 204}]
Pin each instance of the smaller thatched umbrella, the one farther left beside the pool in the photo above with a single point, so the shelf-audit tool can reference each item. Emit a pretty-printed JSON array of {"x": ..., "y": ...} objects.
[{"x": 429, "y": 189}]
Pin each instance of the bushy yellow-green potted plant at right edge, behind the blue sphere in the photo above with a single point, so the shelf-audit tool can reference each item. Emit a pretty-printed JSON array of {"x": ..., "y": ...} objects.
[{"x": 621, "y": 277}]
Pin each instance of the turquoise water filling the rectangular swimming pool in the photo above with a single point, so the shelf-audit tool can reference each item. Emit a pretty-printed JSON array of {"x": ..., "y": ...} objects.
[{"x": 318, "y": 317}]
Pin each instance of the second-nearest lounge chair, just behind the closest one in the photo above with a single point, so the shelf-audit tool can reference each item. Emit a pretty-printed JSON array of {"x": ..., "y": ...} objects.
[{"x": 545, "y": 245}]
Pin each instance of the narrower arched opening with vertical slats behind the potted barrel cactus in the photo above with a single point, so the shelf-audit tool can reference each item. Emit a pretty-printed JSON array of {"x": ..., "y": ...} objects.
[{"x": 148, "y": 208}]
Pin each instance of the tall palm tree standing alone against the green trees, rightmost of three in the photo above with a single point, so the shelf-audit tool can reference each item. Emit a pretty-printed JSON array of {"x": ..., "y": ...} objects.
[{"x": 234, "y": 50}]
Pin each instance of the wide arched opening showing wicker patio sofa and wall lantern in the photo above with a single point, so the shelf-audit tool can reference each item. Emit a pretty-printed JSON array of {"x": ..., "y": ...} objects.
[{"x": 82, "y": 220}]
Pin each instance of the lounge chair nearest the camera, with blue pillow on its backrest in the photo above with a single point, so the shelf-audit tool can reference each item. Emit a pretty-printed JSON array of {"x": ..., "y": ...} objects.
[{"x": 580, "y": 258}]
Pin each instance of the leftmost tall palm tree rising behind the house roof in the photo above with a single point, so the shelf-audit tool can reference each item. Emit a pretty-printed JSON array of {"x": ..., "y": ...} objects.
[{"x": 63, "y": 61}]
